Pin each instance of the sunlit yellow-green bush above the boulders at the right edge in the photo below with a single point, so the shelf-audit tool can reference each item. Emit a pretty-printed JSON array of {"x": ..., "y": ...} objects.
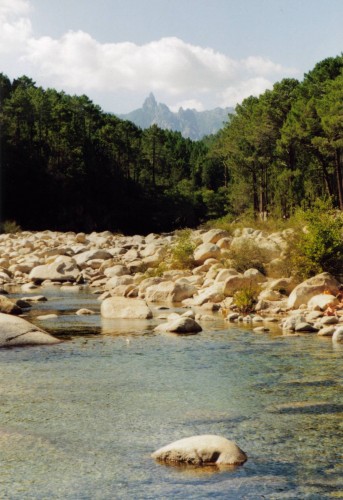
[{"x": 320, "y": 247}]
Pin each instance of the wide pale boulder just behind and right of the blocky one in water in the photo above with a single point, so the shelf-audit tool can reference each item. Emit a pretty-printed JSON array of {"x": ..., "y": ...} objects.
[{"x": 169, "y": 291}]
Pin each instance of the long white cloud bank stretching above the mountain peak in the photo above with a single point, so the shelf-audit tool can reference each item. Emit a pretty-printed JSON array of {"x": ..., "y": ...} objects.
[{"x": 186, "y": 75}]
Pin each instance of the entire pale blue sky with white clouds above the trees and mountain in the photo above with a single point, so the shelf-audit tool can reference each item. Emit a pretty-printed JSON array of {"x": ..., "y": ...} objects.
[{"x": 192, "y": 53}]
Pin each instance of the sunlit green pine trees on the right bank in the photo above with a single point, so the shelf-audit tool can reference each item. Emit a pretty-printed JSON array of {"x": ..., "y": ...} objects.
[{"x": 284, "y": 149}]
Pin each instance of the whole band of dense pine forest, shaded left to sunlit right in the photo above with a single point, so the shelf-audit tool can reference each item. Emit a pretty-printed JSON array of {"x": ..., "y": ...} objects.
[{"x": 68, "y": 165}]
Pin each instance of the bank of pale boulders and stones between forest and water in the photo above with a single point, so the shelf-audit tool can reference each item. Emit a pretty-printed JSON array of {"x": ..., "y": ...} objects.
[{"x": 128, "y": 274}]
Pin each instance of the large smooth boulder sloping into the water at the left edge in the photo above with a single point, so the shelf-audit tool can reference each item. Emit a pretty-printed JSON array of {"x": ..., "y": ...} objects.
[{"x": 15, "y": 331}]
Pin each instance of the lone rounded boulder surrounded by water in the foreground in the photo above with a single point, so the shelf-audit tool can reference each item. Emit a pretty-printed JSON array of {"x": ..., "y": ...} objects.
[{"x": 201, "y": 450}]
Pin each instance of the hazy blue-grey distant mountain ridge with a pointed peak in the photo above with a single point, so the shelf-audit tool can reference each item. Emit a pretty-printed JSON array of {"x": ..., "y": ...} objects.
[{"x": 191, "y": 123}]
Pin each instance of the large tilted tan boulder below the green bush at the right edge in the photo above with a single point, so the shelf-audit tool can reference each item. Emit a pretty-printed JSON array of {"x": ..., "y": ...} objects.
[{"x": 320, "y": 283}]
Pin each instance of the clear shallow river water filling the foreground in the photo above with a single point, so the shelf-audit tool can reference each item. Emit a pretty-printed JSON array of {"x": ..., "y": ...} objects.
[{"x": 79, "y": 420}]
